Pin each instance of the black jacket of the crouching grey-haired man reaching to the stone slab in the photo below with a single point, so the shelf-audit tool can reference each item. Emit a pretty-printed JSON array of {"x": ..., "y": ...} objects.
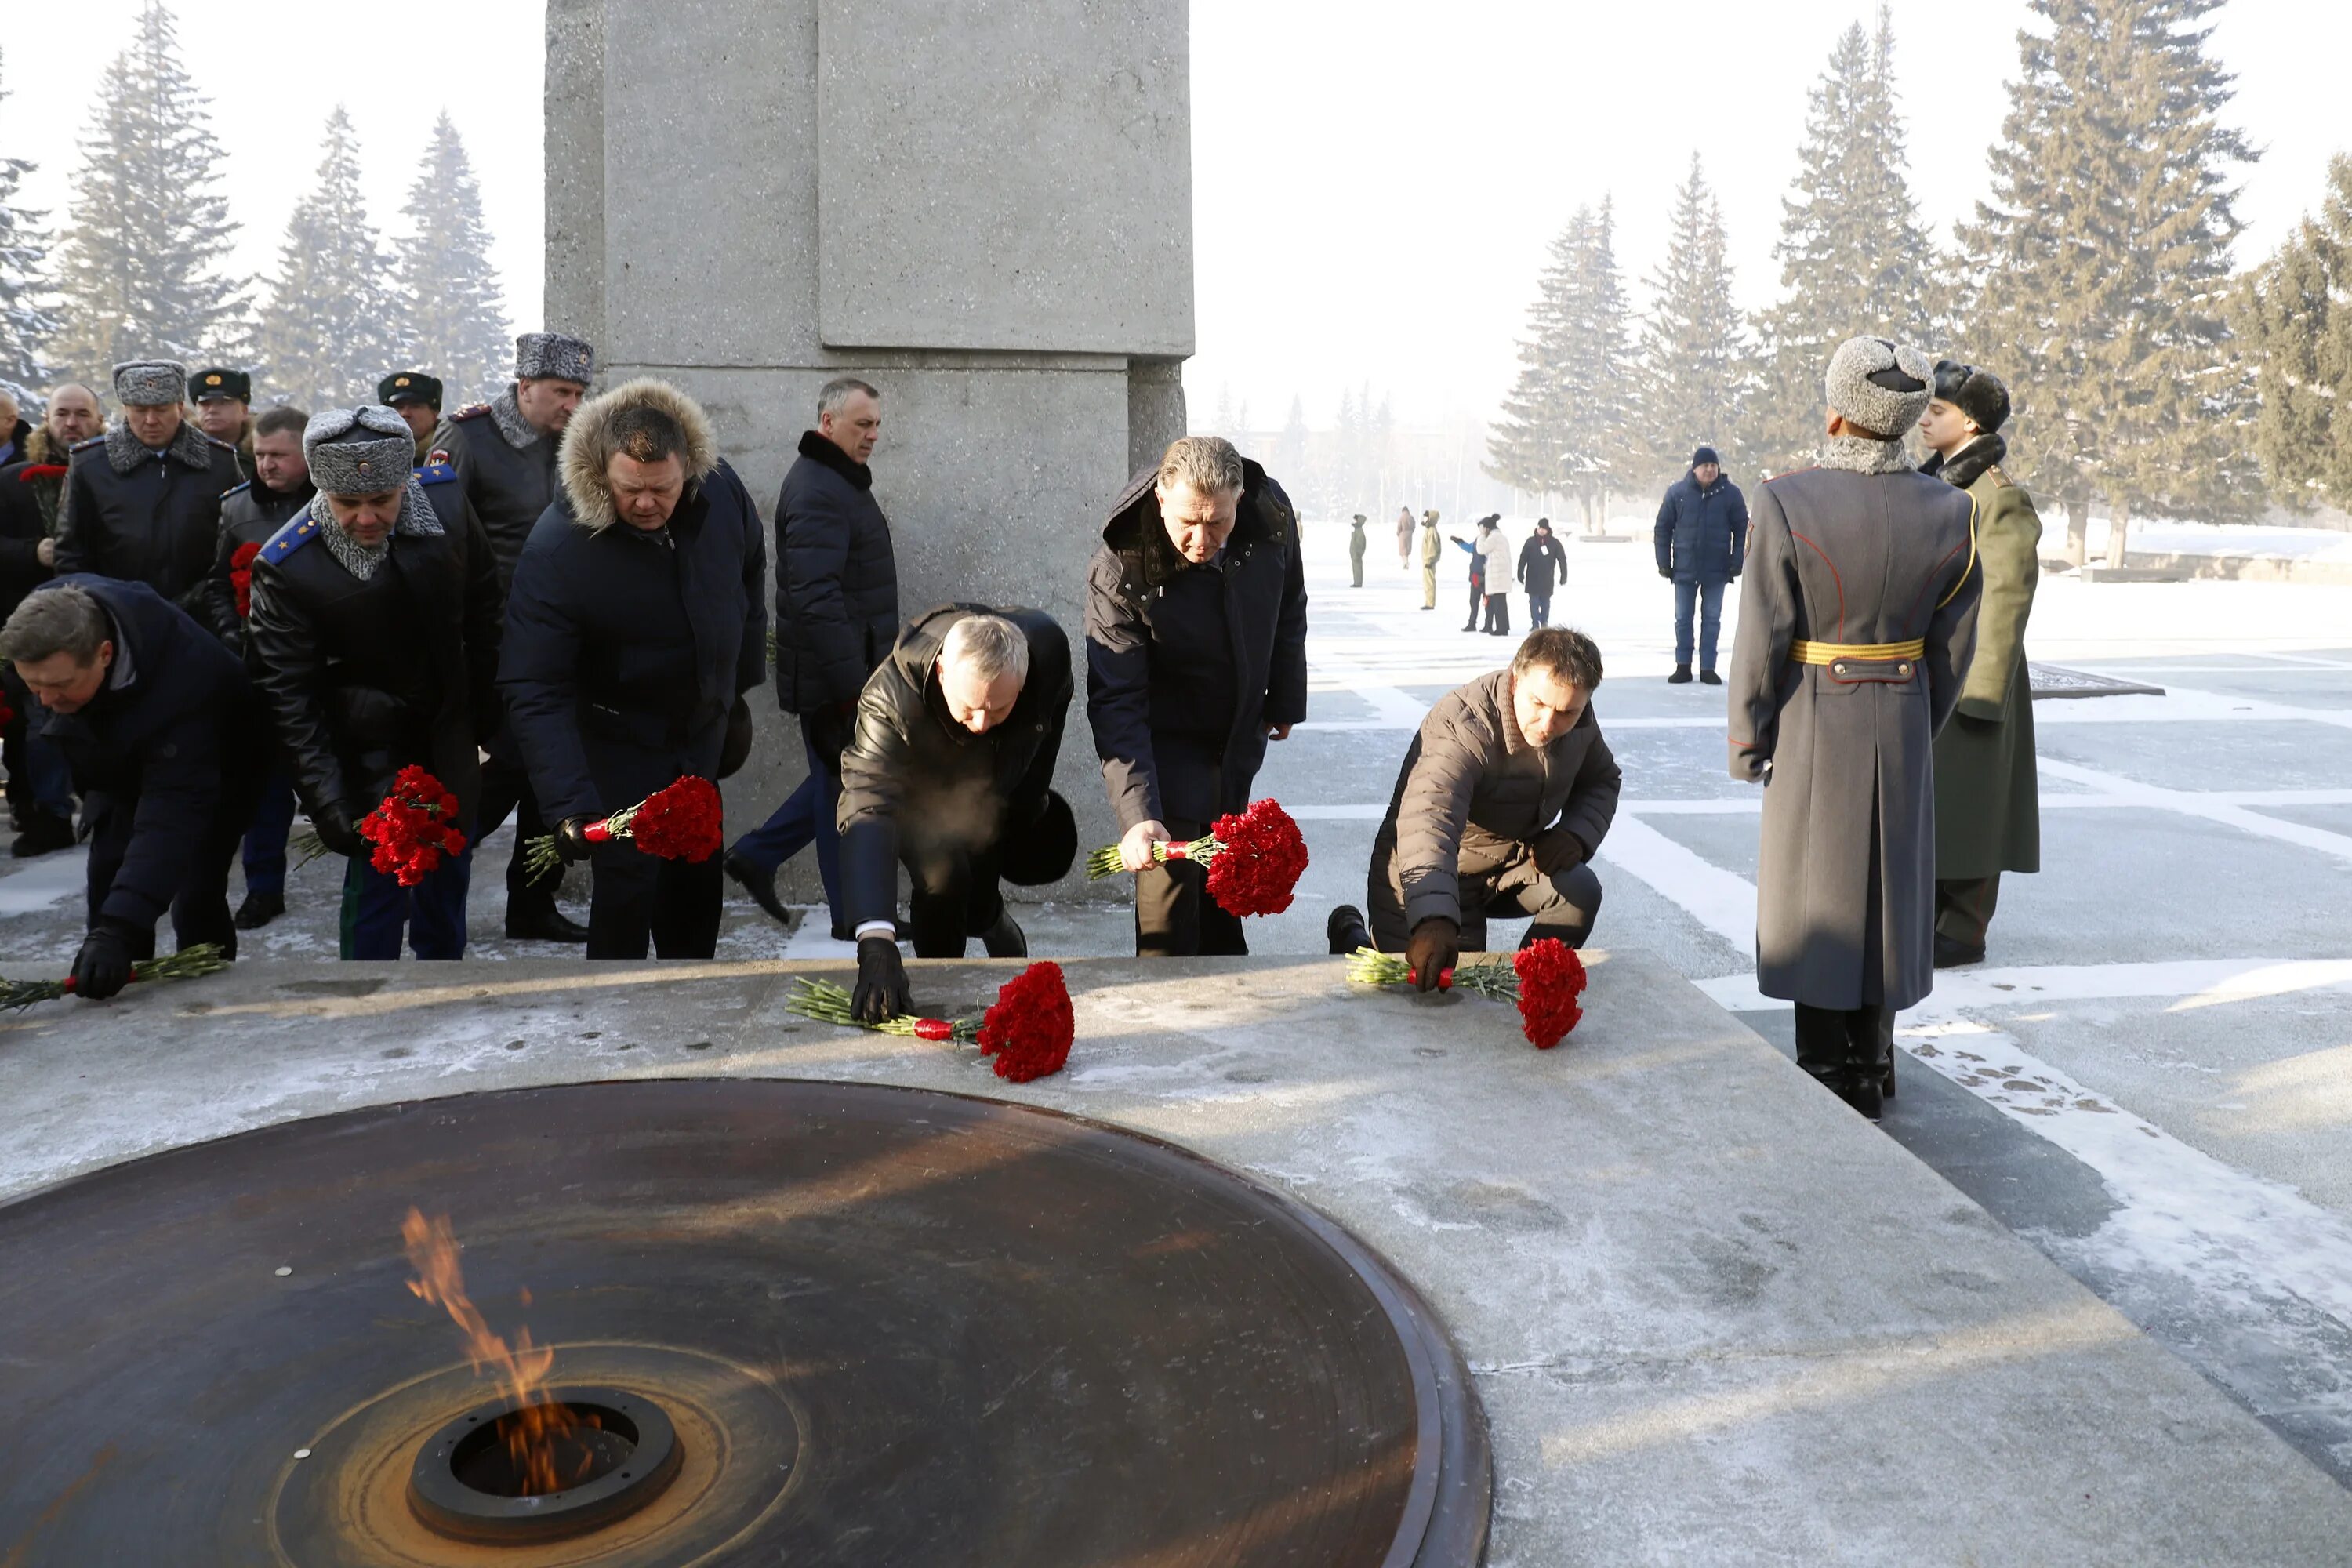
[{"x": 914, "y": 779}]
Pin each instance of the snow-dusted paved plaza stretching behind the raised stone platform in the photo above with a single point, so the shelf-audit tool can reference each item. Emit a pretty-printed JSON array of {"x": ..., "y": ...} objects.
[{"x": 2153, "y": 1073}]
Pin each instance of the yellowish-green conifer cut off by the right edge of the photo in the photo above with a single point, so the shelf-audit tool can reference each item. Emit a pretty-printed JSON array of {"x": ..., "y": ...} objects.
[{"x": 2297, "y": 314}]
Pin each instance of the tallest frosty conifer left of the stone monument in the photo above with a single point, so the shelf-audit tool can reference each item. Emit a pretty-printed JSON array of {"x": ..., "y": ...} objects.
[{"x": 140, "y": 264}]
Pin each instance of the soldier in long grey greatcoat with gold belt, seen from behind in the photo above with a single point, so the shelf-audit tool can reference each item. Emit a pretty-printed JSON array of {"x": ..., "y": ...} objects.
[{"x": 1852, "y": 650}]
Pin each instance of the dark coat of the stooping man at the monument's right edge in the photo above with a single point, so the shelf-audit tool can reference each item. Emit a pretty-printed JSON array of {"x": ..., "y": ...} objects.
[{"x": 1180, "y": 721}]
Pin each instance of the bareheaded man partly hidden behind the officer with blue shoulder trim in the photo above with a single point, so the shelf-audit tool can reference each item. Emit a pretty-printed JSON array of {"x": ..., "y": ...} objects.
[{"x": 250, "y": 514}]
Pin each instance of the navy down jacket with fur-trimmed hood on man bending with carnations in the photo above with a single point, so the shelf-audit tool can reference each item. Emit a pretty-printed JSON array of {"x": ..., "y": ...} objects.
[{"x": 624, "y": 648}]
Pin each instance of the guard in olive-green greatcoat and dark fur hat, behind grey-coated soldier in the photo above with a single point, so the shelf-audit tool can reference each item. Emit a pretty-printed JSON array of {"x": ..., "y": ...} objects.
[{"x": 1989, "y": 812}]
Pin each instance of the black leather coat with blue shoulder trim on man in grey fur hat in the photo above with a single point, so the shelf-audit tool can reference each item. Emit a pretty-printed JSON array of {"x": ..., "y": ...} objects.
[{"x": 368, "y": 678}]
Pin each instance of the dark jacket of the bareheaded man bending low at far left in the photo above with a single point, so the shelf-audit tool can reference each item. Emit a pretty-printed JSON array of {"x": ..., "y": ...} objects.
[{"x": 161, "y": 756}]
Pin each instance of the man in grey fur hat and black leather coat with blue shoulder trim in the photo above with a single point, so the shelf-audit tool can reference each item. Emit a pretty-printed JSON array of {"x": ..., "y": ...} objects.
[{"x": 375, "y": 645}]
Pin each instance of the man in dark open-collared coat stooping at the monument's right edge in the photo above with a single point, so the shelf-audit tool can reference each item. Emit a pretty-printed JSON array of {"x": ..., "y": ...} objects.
[{"x": 1196, "y": 659}]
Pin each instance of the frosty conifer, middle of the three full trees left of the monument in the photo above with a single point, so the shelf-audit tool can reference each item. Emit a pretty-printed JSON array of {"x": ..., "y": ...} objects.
[{"x": 333, "y": 326}]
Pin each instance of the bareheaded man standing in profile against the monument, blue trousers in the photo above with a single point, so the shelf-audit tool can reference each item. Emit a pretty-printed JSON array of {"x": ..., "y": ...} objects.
[{"x": 836, "y": 619}]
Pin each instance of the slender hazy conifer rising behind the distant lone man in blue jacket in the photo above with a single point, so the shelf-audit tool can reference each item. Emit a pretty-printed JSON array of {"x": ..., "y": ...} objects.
[{"x": 1695, "y": 344}]
